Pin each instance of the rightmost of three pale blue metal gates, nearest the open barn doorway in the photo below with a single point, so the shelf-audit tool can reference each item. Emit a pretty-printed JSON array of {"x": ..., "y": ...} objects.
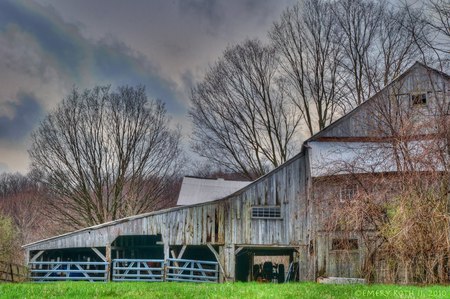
[{"x": 192, "y": 270}]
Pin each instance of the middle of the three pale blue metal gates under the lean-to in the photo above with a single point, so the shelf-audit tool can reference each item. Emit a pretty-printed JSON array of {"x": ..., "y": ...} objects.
[{"x": 137, "y": 270}]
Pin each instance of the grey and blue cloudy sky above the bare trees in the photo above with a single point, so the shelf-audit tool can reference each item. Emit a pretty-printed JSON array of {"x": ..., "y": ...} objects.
[{"x": 49, "y": 46}]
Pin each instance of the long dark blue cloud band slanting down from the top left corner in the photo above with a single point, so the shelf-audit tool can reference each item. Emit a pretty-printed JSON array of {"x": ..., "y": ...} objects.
[{"x": 107, "y": 61}]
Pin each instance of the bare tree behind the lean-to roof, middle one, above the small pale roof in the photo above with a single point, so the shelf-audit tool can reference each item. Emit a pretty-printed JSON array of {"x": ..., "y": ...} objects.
[{"x": 242, "y": 118}]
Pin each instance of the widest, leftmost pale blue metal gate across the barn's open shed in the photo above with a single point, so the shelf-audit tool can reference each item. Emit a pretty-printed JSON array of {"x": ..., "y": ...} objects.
[{"x": 54, "y": 271}]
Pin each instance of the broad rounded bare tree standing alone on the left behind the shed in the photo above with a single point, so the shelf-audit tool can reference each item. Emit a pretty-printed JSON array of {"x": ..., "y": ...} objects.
[{"x": 104, "y": 155}]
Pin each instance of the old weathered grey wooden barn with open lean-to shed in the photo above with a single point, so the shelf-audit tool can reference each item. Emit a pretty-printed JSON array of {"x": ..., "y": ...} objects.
[{"x": 272, "y": 228}]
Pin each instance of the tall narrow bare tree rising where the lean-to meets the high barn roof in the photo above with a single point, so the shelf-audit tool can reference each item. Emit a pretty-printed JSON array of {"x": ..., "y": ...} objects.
[{"x": 308, "y": 42}]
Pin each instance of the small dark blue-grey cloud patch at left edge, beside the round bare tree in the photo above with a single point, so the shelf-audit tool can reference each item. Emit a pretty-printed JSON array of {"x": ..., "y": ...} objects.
[{"x": 24, "y": 113}]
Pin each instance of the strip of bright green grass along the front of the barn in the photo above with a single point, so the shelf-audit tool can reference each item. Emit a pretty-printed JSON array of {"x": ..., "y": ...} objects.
[{"x": 227, "y": 290}]
